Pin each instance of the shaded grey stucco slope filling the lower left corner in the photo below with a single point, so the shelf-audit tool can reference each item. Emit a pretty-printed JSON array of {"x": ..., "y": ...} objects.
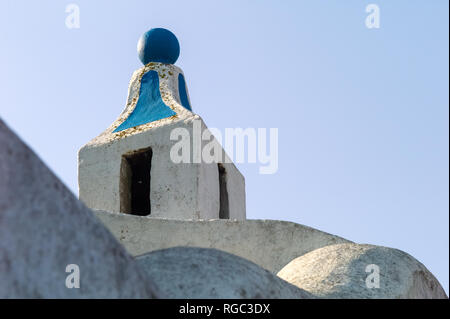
[{"x": 44, "y": 228}]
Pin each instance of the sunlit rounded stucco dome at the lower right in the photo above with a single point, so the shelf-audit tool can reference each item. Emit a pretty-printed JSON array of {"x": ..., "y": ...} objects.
[{"x": 339, "y": 271}]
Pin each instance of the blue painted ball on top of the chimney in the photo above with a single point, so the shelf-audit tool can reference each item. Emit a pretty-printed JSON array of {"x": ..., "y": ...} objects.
[{"x": 158, "y": 45}]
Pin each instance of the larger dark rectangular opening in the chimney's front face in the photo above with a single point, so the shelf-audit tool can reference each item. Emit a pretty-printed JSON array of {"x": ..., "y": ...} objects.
[{"x": 134, "y": 185}]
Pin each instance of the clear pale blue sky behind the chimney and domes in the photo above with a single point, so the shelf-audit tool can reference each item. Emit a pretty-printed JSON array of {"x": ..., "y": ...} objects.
[{"x": 362, "y": 113}]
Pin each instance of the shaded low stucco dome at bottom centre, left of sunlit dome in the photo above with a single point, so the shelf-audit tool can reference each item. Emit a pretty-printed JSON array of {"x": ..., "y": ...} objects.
[{"x": 193, "y": 273}]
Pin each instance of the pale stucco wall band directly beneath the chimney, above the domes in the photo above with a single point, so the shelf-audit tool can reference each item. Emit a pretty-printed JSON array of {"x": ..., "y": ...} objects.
[{"x": 268, "y": 243}]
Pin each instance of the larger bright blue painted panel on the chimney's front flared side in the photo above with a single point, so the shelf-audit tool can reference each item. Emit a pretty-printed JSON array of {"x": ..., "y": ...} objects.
[{"x": 150, "y": 106}]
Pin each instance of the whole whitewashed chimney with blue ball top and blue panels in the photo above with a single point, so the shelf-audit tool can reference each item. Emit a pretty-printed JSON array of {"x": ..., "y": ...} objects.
[{"x": 129, "y": 167}]
